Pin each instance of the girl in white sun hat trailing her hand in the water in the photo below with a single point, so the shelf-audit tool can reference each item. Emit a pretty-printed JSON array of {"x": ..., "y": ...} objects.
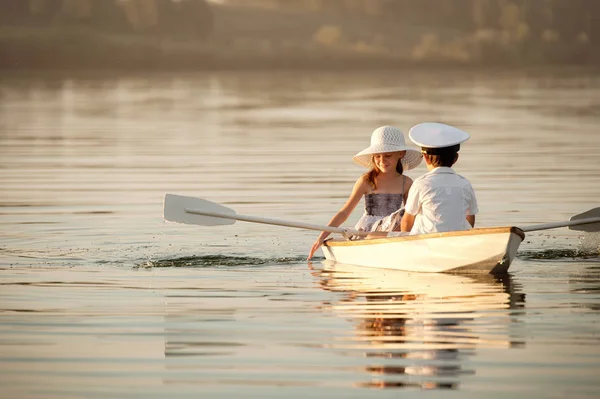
[{"x": 384, "y": 187}]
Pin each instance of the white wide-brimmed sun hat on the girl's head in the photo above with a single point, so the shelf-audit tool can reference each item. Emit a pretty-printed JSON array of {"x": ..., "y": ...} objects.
[{"x": 388, "y": 139}]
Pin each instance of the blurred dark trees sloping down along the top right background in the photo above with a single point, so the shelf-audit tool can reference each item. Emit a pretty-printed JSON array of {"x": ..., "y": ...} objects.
[{"x": 568, "y": 19}]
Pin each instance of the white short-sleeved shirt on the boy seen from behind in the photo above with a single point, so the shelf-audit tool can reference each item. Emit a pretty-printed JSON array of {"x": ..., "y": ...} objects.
[{"x": 441, "y": 200}]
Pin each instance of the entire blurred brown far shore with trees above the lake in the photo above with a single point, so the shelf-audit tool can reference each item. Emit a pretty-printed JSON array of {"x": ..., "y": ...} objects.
[{"x": 489, "y": 32}]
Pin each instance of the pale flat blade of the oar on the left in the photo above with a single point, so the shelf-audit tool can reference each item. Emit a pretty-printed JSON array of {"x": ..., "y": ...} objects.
[{"x": 175, "y": 207}]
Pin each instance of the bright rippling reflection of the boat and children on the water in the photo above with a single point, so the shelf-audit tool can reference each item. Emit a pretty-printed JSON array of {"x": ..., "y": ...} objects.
[{"x": 420, "y": 329}]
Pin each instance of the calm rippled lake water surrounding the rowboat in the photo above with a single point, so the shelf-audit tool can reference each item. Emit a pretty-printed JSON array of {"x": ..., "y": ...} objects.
[{"x": 101, "y": 298}]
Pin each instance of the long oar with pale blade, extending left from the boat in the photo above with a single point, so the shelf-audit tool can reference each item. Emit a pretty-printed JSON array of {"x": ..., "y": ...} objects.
[{"x": 191, "y": 210}]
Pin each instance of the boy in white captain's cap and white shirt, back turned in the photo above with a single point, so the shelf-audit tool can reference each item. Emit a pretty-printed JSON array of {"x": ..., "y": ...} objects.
[{"x": 440, "y": 200}]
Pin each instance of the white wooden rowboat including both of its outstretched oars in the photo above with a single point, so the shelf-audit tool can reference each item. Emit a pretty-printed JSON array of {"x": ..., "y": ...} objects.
[{"x": 481, "y": 250}]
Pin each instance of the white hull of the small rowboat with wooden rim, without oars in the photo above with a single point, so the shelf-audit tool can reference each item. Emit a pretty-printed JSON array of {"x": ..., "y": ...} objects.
[{"x": 484, "y": 250}]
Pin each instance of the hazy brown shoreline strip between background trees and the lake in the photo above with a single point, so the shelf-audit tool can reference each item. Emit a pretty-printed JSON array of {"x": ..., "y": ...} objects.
[{"x": 248, "y": 39}]
